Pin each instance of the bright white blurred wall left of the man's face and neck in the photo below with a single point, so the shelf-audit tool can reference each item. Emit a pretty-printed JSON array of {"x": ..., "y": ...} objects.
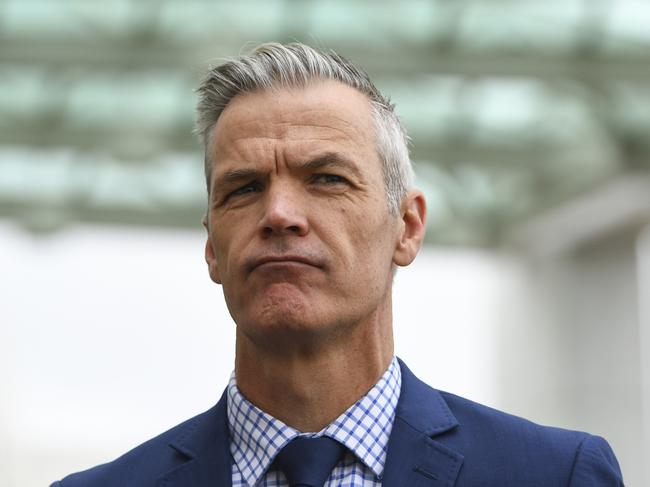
[{"x": 115, "y": 334}]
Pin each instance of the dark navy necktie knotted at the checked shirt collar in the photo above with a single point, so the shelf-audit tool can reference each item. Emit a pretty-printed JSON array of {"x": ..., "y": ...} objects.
[{"x": 307, "y": 462}]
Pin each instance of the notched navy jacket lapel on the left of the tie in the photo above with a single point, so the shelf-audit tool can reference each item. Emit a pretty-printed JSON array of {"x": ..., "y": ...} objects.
[{"x": 205, "y": 446}]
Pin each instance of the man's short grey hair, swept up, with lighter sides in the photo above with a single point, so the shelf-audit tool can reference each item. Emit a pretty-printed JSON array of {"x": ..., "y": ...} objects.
[{"x": 273, "y": 65}]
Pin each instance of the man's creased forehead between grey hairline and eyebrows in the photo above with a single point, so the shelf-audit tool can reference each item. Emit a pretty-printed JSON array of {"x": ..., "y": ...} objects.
[{"x": 326, "y": 113}]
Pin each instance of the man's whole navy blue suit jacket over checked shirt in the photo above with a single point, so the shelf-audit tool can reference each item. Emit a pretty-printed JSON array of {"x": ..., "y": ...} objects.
[{"x": 438, "y": 439}]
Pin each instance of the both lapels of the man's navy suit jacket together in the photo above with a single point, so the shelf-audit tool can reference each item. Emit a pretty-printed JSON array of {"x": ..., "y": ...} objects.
[{"x": 414, "y": 458}]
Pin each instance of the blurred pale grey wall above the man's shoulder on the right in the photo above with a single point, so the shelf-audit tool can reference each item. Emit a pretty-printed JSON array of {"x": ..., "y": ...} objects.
[{"x": 570, "y": 352}]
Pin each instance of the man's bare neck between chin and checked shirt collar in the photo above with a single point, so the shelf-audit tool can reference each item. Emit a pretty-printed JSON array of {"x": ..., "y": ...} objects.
[{"x": 308, "y": 387}]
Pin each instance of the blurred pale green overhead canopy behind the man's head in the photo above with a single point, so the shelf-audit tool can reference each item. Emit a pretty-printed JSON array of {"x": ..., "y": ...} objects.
[{"x": 514, "y": 107}]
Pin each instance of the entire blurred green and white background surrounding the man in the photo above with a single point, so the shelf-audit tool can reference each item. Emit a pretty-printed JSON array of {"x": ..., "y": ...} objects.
[{"x": 530, "y": 124}]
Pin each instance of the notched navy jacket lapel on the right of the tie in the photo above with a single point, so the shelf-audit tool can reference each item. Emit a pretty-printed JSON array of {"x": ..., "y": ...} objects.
[{"x": 414, "y": 457}]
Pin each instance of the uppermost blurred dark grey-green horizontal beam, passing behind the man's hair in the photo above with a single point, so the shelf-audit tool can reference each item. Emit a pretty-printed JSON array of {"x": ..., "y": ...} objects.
[{"x": 103, "y": 55}]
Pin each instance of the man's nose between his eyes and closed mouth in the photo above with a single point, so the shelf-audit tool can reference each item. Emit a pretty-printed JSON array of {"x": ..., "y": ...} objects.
[{"x": 284, "y": 213}]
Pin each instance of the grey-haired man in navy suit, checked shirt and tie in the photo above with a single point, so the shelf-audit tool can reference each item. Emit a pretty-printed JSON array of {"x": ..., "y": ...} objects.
[{"x": 311, "y": 208}]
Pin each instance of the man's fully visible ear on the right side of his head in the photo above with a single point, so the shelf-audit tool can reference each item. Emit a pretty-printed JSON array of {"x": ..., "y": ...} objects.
[{"x": 413, "y": 211}]
